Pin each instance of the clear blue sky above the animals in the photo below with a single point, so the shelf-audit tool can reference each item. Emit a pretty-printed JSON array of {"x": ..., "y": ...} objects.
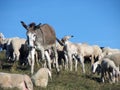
[{"x": 90, "y": 21}]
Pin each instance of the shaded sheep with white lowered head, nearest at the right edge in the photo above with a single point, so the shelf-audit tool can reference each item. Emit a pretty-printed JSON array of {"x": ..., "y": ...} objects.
[{"x": 106, "y": 66}]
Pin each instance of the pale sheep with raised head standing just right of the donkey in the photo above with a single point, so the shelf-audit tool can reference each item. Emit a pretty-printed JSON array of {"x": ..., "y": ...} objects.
[{"x": 70, "y": 52}]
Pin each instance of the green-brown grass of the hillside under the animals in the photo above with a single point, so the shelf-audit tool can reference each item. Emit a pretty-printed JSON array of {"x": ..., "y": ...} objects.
[{"x": 66, "y": 80}]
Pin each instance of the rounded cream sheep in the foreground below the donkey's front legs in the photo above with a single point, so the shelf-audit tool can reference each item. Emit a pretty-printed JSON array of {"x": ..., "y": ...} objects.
[{"x": 41, "y": 77}]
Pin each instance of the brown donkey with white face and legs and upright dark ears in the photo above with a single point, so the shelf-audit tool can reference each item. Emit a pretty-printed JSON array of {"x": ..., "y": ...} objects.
[{"x": 41, "y": 38}]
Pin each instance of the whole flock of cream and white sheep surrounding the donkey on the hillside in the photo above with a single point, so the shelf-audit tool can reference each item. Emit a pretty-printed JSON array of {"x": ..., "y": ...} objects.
[{"x": 105, "y": 61}]
